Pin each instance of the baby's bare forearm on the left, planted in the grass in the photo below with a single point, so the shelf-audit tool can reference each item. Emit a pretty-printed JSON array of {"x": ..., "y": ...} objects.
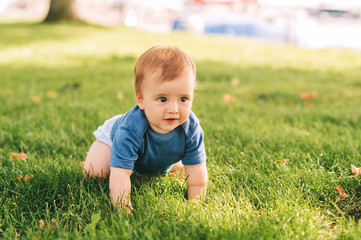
[{"x": 119, "y": 185}]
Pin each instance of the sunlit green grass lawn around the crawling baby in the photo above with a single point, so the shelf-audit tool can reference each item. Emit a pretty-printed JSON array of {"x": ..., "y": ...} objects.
[{"x": 252, "y": 193}]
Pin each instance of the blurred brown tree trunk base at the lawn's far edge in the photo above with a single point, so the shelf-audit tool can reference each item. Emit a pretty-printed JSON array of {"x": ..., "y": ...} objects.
[{"x": 61, "y": 10}]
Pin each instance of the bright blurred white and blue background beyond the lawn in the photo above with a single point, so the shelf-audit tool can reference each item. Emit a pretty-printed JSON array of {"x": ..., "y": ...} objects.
[{"x": 306, "y": 23}]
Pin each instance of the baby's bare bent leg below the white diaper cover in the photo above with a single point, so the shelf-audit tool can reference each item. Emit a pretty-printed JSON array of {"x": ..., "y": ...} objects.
[{"x": 97, "y": 160}]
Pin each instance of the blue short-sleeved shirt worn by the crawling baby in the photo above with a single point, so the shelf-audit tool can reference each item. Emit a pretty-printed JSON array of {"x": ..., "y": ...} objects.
[{"x": 137, "y": 147}]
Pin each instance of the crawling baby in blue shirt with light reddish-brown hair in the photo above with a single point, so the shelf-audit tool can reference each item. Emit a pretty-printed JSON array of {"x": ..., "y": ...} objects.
[{"x": 157, "y": 136}]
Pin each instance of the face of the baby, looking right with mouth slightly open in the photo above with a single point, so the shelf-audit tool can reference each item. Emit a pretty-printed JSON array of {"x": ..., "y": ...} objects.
[{"x": 168, "y": 104}]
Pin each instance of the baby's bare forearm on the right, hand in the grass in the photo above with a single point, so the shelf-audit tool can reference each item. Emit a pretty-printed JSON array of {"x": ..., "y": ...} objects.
[{"x": 197, "y": 177}]
